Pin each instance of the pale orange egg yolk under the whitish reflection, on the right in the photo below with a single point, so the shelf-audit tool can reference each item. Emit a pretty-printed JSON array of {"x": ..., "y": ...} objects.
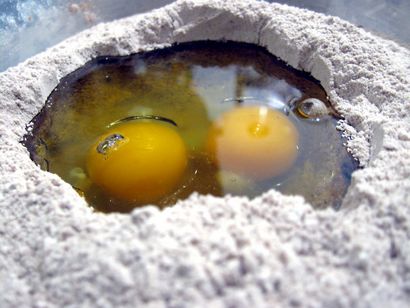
[{"x": 254, "y": 141}]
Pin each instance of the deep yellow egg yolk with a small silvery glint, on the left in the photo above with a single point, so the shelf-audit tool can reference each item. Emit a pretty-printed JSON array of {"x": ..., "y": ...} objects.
[{"x": 139, "y": 161}]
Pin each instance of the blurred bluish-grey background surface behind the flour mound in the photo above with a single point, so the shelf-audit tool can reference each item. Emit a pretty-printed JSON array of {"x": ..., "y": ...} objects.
[{"x": 30, "y": 26}]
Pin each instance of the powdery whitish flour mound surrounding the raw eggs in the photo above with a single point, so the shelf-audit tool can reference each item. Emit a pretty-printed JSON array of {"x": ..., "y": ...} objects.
[{"x": 273, "y": 251}]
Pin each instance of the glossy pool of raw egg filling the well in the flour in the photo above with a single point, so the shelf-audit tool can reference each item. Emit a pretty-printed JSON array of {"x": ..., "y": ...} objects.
[{"x": 197, "y": 86}]
